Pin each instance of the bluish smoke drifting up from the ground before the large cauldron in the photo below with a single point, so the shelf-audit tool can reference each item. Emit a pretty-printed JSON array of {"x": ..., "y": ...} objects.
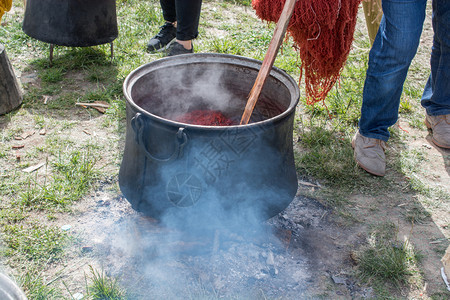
[{"x": 211, "y": 237}]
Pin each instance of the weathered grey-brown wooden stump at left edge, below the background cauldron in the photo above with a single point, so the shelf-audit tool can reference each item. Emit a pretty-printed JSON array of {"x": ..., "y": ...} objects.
[{"x": 10, "y": 94}]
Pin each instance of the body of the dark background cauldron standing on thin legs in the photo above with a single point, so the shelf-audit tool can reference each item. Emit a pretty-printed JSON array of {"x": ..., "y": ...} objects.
[{"x": 73, "y": 23}]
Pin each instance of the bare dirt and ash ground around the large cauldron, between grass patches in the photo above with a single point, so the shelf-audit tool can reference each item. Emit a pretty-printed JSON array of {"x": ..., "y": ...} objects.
[{"x": 305, "y": 251}]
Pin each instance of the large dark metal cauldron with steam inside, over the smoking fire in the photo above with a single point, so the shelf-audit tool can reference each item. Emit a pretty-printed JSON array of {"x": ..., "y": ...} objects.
[{"x": 218, "y": 173}]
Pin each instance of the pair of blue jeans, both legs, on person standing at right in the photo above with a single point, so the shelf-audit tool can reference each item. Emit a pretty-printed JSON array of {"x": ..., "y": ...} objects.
[{"x": 390, "y": 57}]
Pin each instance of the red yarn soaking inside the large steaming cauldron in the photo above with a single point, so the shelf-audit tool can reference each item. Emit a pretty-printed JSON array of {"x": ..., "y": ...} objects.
[{"x": 205, "y": 118}]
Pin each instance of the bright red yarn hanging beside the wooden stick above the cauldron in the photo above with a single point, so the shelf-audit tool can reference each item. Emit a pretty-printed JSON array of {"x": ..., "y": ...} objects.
[{"x": 322, "y": 31}]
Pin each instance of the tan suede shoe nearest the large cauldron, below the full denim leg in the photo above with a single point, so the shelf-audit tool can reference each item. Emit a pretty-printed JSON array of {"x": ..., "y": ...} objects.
[{"x": 369, "y": 154}]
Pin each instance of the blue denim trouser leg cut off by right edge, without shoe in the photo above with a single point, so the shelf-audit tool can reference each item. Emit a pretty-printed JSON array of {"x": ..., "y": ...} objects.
[{"x": 436, "y": 95}]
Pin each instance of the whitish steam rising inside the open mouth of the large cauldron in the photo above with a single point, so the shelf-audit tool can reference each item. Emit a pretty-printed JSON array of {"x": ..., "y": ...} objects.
[{"x": 178, "y": 90}]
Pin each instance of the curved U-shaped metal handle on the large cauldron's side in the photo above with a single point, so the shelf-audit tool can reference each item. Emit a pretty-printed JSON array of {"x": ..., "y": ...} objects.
[{"x": 138, "y": 124}]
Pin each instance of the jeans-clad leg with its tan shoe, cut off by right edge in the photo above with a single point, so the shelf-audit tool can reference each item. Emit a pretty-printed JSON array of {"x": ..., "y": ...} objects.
[{"x": 436, "y": 95}]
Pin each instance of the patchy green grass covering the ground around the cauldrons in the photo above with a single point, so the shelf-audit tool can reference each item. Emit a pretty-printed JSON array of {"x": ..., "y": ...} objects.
[{"x": 74, "y": 166}]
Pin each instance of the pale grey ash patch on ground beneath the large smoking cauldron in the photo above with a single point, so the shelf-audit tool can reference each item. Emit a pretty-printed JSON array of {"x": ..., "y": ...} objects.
[{"x": 250, "y": 261}]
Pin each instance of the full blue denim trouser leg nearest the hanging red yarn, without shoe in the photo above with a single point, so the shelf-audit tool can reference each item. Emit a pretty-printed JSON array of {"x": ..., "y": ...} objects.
[{"x": 389, "y": 59}]
